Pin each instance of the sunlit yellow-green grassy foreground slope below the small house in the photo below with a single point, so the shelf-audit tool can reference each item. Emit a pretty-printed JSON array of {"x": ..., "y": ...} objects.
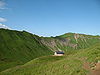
[{"x": 70, "y": 64}]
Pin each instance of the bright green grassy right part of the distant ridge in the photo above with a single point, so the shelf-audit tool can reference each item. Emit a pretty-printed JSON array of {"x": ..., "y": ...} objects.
[{"x": 83, "y": 41}]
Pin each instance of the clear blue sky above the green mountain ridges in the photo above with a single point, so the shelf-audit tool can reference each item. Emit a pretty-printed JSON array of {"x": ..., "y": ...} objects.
[{"x": 52, "y": 17}]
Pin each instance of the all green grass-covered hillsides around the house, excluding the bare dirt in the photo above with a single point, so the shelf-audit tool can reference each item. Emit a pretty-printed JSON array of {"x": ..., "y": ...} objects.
[{"x": 22, "y": 53}]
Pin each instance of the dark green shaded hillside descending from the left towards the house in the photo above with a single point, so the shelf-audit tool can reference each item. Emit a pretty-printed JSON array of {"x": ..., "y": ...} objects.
[{"x": 19, "y": 47}]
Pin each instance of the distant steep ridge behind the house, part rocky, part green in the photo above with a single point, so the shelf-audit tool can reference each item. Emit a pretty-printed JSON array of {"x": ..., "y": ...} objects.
[{"x": 70, "y": 41}]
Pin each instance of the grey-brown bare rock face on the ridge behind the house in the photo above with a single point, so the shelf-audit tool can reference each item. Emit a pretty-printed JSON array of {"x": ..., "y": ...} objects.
[{"x": 59, "y": 44}]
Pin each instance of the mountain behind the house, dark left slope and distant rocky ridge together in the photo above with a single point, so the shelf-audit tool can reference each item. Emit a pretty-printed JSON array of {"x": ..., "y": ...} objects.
[{"x": 20, "y": 47}]
